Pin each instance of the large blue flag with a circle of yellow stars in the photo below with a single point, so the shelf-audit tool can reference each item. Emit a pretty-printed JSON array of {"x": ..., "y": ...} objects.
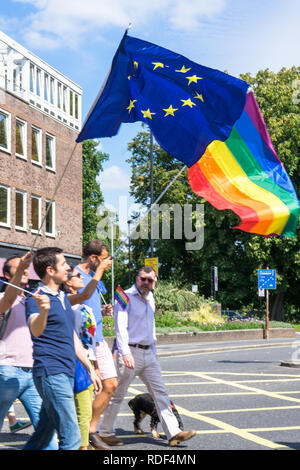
[{"x": 187, "y": 106}]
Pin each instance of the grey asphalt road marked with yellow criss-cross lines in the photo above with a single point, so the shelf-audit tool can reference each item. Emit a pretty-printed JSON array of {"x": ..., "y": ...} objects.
[{"x": 237, "y": 396}]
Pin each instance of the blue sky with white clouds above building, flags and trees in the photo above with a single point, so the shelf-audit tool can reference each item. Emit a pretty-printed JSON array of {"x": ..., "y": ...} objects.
[{"x": 79, "y": 38}]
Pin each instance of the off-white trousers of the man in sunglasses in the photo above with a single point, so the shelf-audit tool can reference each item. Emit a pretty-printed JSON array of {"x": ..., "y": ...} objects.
[{"x": 147, "y": 368}]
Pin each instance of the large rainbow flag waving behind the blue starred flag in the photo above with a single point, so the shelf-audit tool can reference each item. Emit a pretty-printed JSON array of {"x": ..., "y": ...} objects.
[{"x": 244, "y": 174}]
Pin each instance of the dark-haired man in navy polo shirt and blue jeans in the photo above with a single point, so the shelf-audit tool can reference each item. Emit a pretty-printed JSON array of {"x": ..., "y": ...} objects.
[{"x": 55, "y": 346}]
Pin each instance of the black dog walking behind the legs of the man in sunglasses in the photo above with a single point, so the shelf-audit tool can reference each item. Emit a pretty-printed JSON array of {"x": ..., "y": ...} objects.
[{"x": 143, "y": 405}]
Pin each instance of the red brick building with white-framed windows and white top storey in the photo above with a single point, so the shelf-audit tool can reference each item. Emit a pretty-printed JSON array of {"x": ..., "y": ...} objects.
[{"x": 40, "y": 117}]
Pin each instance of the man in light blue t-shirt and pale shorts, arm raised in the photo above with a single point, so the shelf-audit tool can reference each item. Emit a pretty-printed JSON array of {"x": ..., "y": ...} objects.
[{"x": 93, "y": 253}]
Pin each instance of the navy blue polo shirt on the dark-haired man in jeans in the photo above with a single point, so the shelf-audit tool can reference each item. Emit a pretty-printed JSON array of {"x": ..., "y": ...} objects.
[{"x": 53, "y": 351}]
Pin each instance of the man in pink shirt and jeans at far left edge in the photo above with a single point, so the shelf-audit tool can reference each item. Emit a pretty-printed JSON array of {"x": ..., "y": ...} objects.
[{"x": 16, "y": 362}]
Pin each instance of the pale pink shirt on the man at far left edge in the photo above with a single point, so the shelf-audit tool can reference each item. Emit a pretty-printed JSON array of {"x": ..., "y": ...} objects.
[{"x": 16, "y": 345}]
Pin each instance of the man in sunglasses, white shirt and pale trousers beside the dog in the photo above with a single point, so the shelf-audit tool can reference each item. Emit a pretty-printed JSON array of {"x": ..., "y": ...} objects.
[{"x": 135, "y": 334}]
